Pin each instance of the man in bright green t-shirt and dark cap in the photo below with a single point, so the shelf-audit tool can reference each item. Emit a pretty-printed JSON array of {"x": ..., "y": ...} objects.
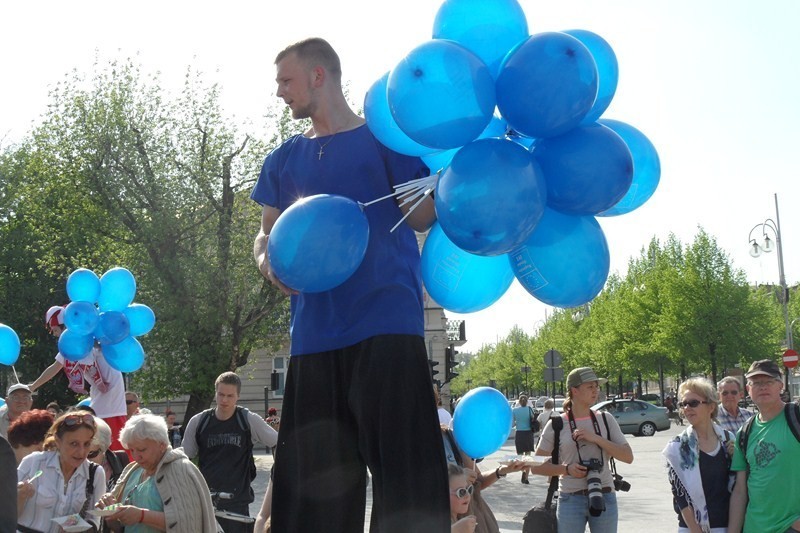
[{"x": 766, "y": 496}]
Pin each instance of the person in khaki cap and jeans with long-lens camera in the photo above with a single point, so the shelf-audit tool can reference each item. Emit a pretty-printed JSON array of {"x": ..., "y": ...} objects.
[{"x": 585, "y": 435}]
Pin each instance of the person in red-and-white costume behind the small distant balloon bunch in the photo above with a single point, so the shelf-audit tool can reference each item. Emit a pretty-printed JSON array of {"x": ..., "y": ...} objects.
[{"x": 105, "y": 384}]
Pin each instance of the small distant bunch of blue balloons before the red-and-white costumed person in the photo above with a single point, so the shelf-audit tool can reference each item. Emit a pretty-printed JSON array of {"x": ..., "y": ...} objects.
[{"x": 101, "y": 310}]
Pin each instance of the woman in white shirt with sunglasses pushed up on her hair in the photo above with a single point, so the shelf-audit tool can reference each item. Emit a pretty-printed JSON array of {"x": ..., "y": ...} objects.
[{"x": 60, "y": 481}]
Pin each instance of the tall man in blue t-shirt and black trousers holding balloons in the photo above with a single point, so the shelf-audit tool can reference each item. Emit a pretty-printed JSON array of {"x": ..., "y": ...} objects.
[{"x": 358, "y": 390}]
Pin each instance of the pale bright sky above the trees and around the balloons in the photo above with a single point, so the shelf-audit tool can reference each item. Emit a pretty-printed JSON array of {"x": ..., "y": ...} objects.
[{"x": 712, "y": 83}]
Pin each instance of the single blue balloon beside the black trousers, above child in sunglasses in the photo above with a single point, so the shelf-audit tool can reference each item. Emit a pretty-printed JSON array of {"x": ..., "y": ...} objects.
[{"x": 482, "y": 422}]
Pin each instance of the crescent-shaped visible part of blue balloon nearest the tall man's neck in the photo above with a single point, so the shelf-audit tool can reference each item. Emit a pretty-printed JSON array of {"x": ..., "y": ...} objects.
[{"x": 382, "y": 124}]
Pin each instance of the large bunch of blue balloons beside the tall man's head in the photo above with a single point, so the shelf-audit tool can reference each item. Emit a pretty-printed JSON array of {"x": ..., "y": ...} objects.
[{"x": 512, "y": 123}]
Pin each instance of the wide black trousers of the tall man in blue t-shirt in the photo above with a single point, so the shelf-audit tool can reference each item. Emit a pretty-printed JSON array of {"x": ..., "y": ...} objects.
[{"x": 368, "y": 405}]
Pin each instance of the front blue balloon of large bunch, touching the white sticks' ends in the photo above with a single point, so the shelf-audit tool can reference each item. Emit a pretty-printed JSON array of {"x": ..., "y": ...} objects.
[{"x": 490, "y": 197}]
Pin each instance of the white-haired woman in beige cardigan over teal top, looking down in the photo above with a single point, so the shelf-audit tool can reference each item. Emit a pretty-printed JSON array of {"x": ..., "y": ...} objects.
[{"x": 161, "y": 490}]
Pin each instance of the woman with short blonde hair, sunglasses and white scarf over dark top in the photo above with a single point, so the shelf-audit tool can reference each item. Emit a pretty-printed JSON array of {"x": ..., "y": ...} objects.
[{"x": 698, "y": 462}]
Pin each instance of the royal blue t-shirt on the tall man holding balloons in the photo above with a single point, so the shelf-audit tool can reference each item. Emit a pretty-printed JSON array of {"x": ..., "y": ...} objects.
[{"x": 384, "y": 295}]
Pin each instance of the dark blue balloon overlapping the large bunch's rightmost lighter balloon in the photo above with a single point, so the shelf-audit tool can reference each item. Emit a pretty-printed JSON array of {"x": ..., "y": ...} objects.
[{"x": 587, "y": 170}]
